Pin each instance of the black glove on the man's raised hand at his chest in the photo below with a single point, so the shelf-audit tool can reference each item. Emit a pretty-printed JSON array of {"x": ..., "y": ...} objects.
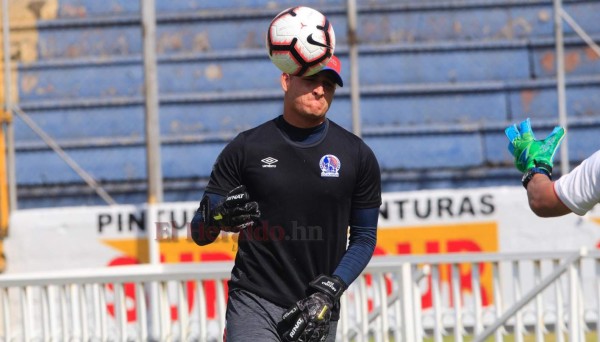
[{"x": 235, "y": 213}]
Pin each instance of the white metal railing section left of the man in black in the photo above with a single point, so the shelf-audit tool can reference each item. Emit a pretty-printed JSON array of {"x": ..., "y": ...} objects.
[{"x": 104, "y": 304}]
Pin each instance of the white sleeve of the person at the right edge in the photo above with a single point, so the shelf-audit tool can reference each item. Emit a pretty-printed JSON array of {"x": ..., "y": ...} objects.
[{"x": 580, "y": 189}]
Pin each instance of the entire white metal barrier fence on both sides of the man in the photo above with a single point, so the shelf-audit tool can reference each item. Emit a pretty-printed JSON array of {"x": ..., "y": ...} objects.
[{"x": 402, "y": 298}]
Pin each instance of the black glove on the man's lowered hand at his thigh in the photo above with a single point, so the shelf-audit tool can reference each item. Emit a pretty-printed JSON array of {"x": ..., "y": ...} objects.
[{"x": 308, "y": 319}]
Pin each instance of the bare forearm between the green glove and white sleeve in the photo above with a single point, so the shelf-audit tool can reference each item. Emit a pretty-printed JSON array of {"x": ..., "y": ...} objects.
[{"x": 543, "y": 201}]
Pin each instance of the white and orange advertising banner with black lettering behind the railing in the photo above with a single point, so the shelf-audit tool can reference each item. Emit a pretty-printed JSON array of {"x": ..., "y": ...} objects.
[{"x": 419, "y": 222}]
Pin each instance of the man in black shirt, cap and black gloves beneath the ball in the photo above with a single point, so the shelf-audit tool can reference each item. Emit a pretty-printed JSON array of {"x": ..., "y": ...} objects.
[{"x": 291, "y": 187}]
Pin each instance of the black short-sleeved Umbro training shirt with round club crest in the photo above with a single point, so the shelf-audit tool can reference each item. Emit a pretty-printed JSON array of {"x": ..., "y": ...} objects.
[{"x": 305, "y": 194}]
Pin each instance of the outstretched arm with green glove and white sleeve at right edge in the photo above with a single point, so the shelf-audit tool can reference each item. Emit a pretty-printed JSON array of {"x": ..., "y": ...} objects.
[{"x": 577, "y": 191}]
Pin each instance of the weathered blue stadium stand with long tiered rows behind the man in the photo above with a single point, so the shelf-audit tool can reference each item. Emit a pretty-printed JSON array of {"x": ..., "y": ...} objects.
[{"x": 440, "y": 79}]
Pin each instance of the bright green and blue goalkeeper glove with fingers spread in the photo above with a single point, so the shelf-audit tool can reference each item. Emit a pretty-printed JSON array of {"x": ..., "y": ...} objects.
[{"x": 530, "y": 153}]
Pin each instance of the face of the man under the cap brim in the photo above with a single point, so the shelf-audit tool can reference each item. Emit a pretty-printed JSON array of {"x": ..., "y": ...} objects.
[{"x": 308, "y": 98}]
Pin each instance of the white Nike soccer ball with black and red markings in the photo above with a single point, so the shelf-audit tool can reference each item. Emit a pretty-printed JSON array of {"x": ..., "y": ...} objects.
[{"x": 300, "y": 41}]
